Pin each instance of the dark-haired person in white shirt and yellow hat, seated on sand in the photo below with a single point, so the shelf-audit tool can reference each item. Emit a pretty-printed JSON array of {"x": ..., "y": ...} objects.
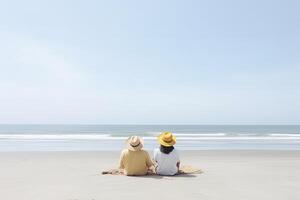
[{"x": 166, "y": 156}]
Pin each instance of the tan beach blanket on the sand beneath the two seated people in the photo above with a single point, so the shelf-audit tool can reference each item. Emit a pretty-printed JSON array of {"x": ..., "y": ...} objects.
[{"x": 184, "y": 169}]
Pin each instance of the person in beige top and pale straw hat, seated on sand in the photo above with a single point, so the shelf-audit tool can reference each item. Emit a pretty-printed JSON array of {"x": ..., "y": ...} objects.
[{"x": 134, "y": 161}]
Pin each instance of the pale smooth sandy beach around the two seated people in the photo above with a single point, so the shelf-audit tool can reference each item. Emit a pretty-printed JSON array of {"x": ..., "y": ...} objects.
[{"x": 76, "y": 176}]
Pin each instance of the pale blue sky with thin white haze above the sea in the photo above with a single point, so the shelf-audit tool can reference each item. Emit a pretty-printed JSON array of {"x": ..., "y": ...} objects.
[{"x": 150, "y": 62}]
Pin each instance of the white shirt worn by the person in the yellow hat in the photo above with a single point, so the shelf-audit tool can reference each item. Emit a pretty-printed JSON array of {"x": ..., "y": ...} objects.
[{"x": 166, "y": 163}]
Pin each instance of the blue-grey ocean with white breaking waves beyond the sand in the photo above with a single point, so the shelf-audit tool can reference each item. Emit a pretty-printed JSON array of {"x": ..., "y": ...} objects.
[{"x": 112, "y": 137}]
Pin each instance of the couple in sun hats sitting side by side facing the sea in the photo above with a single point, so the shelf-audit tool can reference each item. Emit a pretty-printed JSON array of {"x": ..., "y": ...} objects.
[{"x": 136, "y": 162}]
